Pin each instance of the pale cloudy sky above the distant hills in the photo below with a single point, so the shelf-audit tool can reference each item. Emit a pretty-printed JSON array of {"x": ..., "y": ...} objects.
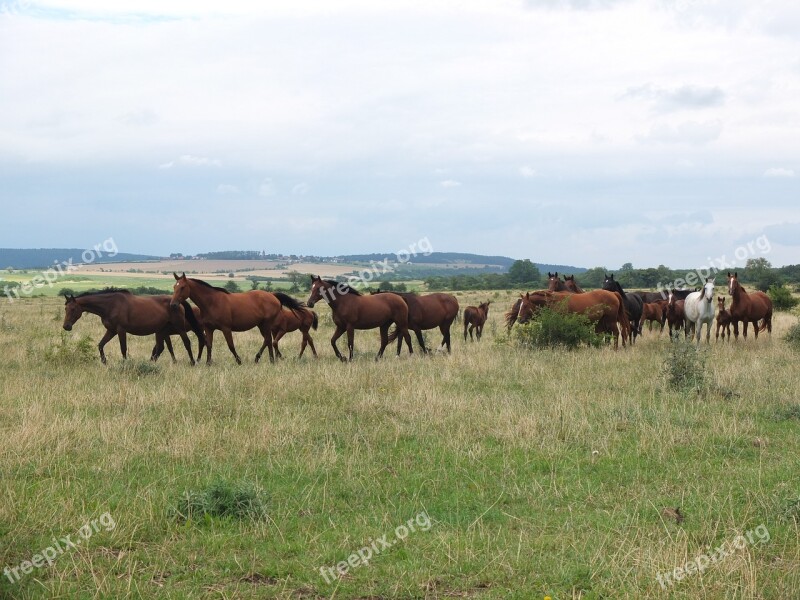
[{"x": 577, "y": 132}]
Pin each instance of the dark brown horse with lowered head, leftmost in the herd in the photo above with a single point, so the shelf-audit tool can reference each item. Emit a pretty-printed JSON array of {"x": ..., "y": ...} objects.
[{"x": 122, "y": 313}]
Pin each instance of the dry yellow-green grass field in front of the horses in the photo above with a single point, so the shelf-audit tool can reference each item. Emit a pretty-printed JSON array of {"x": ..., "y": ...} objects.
[{"x": 524, "y": 474}]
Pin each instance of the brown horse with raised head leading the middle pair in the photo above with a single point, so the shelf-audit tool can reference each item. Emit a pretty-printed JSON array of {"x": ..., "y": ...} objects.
[{"x": 353, "y": 311}]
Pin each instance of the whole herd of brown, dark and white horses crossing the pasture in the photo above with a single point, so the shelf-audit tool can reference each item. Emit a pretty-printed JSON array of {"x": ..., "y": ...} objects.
[{"x": 611, "y": 309}]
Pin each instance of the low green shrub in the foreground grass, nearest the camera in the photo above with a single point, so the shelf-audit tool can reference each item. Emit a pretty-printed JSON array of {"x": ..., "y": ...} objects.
[{"x": 222, "y": 499}]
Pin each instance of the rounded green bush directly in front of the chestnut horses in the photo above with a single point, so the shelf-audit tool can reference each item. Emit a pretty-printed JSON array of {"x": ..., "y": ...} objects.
[{"x": 556, "y": 328}]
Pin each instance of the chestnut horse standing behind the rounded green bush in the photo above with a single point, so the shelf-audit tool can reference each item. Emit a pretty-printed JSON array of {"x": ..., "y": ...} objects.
[{"x": 605, "y": 309}]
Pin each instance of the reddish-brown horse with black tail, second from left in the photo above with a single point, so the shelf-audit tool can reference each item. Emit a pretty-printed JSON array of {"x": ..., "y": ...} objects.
[{"x": 233, "y": 311}]
